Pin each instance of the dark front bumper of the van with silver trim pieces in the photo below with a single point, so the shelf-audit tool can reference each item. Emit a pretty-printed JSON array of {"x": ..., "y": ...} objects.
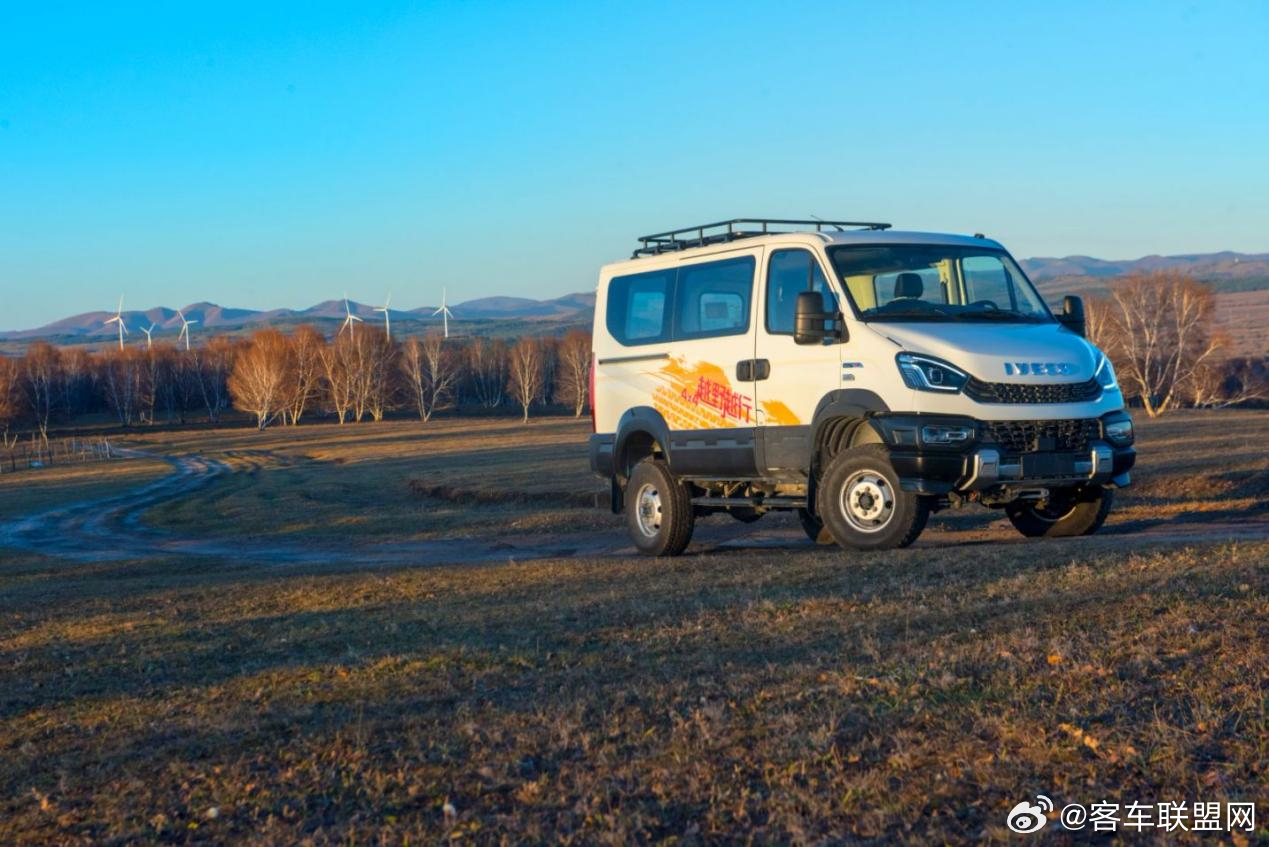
[{"x": 984, "y": 464}]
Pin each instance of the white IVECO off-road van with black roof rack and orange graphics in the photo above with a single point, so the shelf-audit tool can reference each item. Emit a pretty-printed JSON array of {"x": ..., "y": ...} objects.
[{"x": 861, "y": 377}]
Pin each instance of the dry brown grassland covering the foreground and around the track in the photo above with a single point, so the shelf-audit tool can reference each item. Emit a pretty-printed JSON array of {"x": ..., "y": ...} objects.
[{"x": 776, "y": 695}]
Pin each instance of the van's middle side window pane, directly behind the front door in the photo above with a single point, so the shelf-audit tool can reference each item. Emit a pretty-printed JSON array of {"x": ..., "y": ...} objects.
[{"x": 714, "y": 299}]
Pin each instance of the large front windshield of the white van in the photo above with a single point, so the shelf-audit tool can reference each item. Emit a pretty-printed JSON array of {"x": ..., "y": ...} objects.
[{"x": 931, "y": 283}]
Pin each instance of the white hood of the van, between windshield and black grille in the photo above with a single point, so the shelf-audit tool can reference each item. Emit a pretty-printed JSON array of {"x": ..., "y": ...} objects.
[{"x": 999, "y": 352}]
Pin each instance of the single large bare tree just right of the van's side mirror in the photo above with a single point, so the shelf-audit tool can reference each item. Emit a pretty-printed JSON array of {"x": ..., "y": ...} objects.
[{"x": 1163, "y": 336}]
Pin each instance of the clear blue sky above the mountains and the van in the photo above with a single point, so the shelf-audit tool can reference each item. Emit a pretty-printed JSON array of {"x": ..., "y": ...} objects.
[{"x": 267, "y": 156}]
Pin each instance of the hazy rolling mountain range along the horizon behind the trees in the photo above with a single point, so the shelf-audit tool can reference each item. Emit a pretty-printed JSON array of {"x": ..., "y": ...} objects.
[{"x": 1242, "y": 283}]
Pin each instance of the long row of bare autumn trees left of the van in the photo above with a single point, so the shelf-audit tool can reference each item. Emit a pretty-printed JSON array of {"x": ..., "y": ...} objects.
[{"x": 284, "y": 378}]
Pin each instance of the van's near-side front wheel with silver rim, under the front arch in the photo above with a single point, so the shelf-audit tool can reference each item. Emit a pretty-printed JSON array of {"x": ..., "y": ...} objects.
[{"x": 874, "y": 484}]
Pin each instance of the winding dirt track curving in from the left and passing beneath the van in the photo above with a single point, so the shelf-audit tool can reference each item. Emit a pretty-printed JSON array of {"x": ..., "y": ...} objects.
[{"x": 111, "y": 529}]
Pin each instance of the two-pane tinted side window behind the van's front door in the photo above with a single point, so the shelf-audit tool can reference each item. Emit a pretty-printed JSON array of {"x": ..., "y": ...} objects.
[{"x": 704, "y": 300}]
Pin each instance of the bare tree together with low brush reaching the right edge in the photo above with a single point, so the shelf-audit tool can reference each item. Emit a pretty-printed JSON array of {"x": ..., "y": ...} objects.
[{"x": 1161, "y": 332}]
